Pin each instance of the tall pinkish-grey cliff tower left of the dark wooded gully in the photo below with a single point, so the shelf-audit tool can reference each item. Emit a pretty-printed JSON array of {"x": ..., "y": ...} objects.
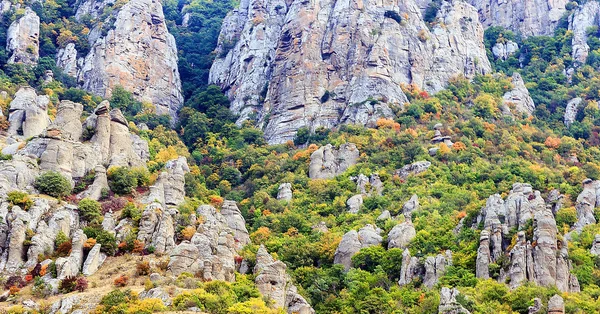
[{"x": 137, "y": 53}]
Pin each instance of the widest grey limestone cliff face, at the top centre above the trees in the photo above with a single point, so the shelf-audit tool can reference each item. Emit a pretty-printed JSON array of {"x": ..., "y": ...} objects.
[{"x": 324, "y": 62}]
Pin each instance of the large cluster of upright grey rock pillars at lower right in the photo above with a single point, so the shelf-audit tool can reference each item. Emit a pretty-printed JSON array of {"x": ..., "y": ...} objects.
[{"x": 542, "y": 259}]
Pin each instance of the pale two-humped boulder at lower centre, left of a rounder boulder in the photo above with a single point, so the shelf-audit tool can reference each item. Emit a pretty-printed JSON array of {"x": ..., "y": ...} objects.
[{"x": 353, "y": 241}]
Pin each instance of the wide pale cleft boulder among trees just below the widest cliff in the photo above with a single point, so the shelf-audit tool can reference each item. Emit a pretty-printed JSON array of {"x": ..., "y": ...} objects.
[{"x": 327, "y": 162}]
